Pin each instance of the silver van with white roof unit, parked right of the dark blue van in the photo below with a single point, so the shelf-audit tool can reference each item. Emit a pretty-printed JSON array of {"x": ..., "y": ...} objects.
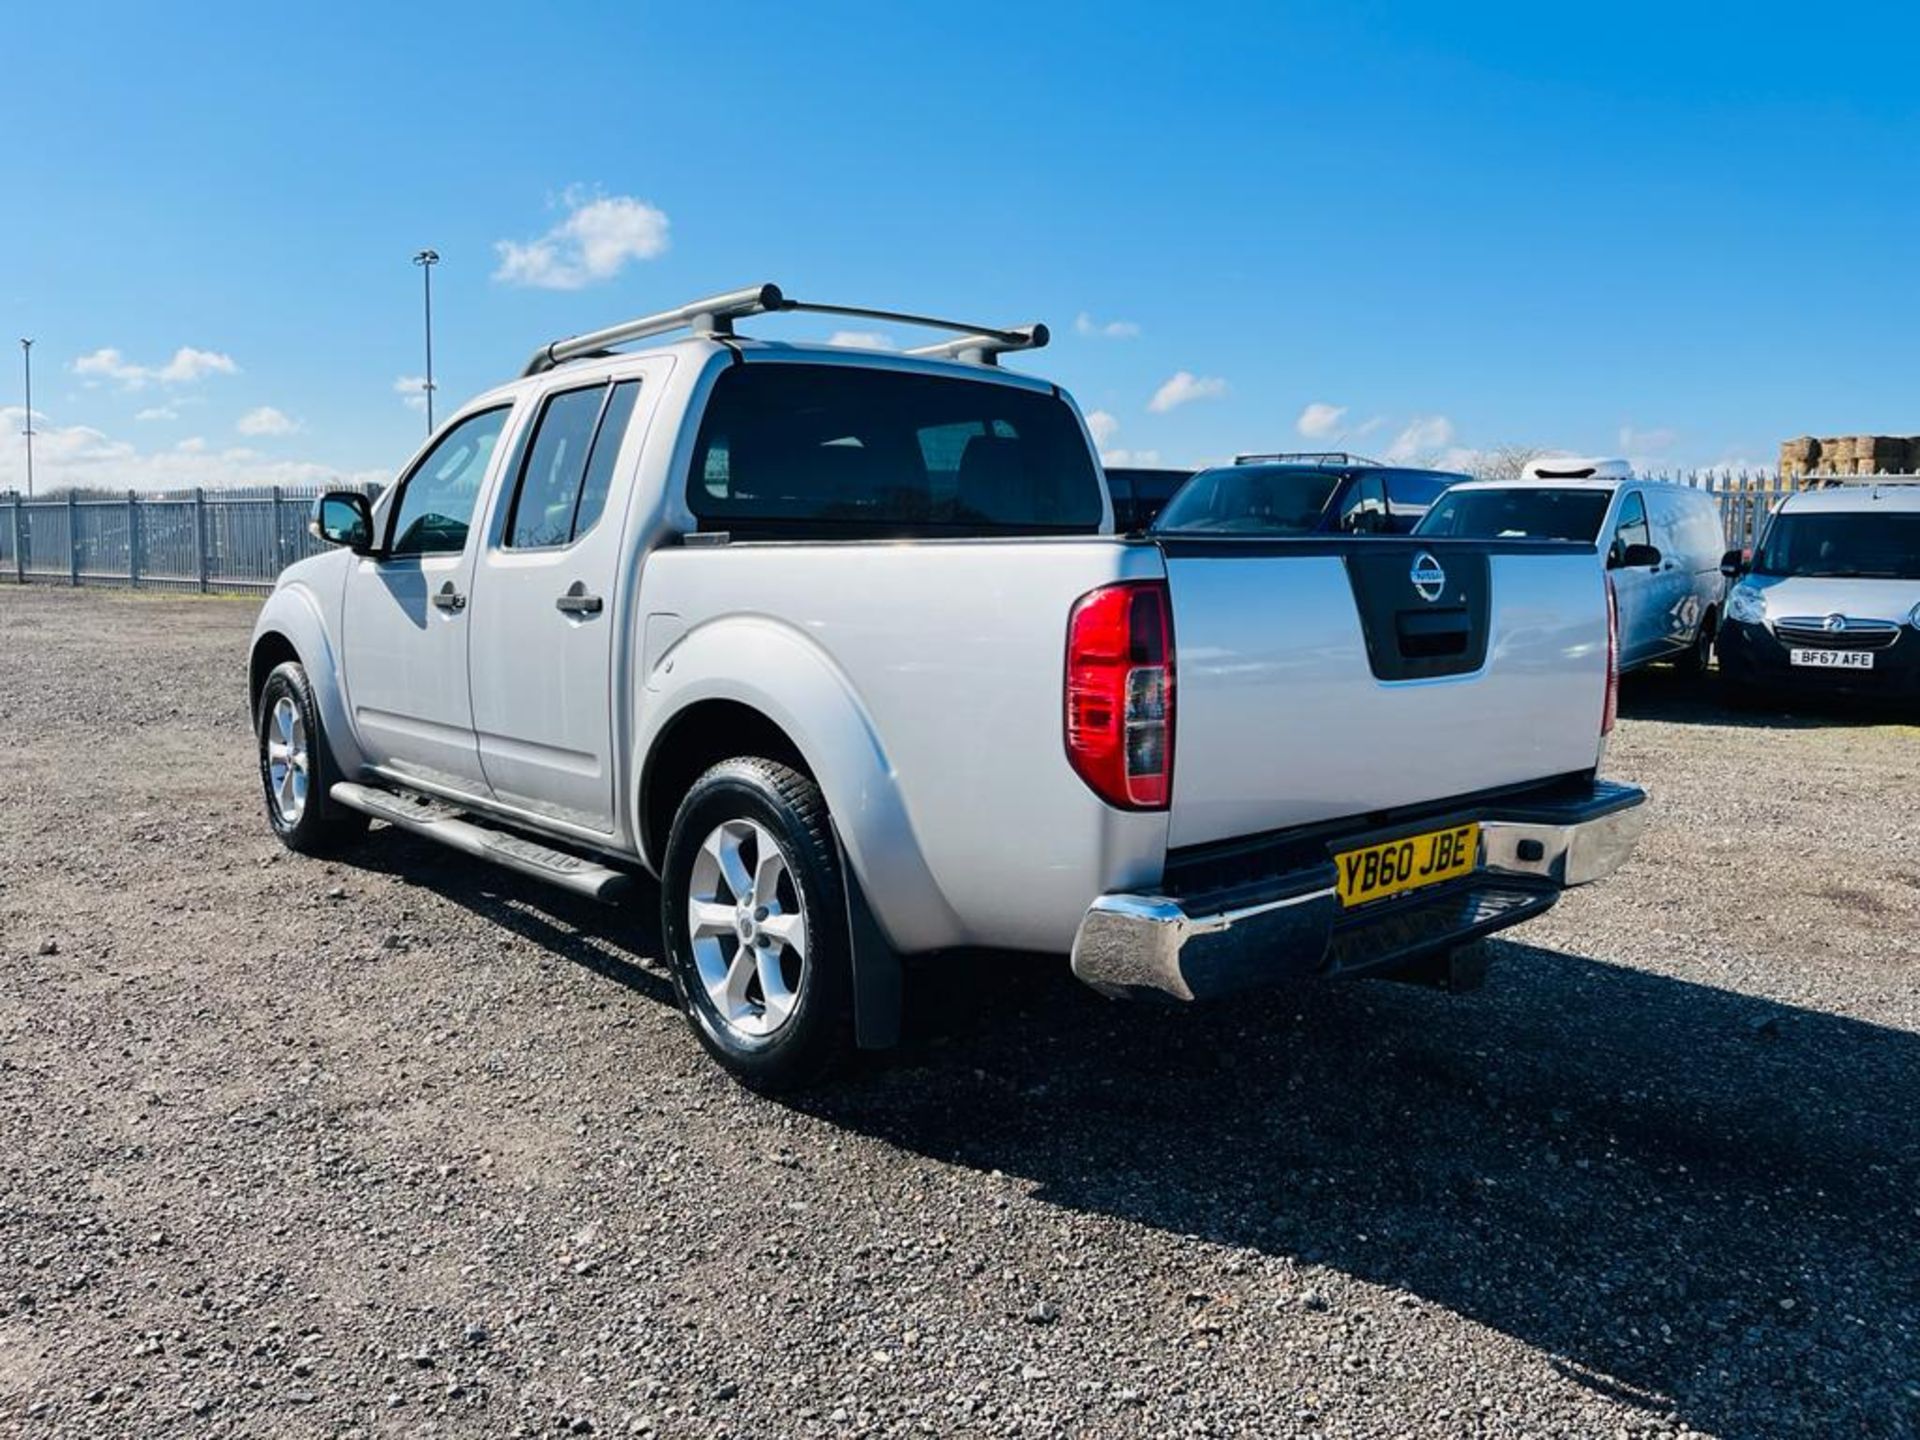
[{"x": 1662, "y": 544}]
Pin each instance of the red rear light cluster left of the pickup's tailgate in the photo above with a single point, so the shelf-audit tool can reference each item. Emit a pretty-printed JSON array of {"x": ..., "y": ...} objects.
[{"x": 1120, "y": 694}]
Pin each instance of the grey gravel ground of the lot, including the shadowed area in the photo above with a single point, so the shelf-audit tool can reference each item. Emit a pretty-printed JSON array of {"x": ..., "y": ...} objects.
[{"x": 412, "y": 1147}]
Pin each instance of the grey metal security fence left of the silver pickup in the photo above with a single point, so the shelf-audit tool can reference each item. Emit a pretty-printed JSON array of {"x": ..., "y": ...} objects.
[{"x": 180, "y": 540}]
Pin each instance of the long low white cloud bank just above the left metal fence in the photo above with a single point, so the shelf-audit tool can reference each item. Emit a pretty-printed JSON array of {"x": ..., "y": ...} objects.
[{"x": 82, "y": 456}]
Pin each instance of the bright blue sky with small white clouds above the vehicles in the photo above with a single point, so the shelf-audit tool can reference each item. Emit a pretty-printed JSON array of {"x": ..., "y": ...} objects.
[{"x": 1666, "y": 231}]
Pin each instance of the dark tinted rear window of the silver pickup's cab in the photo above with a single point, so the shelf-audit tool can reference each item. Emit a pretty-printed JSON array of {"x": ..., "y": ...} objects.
[{"x": 848, "y": 452}]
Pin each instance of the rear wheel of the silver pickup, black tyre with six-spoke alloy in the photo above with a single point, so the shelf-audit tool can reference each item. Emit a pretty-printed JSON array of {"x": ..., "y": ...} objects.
[{"x": 756, "y": 921}]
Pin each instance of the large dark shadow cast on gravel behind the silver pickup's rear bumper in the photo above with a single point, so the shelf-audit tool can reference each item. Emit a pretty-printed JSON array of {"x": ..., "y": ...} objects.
[{"x": 1689, "y": 1199}]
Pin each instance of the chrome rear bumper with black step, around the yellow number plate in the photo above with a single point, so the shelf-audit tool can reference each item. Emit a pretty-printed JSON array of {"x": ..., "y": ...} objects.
[{"x": 1195, "y": 948}]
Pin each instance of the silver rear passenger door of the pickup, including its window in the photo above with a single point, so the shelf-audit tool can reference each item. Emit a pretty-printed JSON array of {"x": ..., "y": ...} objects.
[{"x": 544, "y": 617}]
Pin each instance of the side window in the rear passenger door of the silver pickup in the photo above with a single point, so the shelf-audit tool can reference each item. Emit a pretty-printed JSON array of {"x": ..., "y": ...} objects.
[{"x": 567, "y": 473}]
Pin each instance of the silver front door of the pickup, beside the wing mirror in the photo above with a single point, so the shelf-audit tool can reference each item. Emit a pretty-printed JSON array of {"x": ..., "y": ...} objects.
[{"x": 406, "y": 615}]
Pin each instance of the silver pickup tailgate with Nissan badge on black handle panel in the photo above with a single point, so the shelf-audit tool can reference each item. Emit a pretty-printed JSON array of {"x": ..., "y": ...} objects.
[{"x": 1328, "y": 679}]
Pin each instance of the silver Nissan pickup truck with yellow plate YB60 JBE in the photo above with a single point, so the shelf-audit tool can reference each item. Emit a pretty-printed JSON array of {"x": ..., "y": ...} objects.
[{"x": 840, "y": 646}]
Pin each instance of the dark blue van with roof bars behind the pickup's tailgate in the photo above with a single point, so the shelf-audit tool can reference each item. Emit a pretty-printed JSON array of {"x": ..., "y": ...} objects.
[{"x": 1310, "y": 494}]
